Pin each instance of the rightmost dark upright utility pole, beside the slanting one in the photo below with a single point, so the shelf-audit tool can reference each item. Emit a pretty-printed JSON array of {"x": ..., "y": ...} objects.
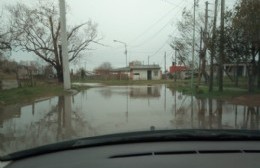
[{"x": 222, "y": 40}]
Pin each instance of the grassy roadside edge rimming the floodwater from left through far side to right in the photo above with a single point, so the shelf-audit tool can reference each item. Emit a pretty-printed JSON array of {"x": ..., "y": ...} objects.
[{"x": 46, "y": 90}]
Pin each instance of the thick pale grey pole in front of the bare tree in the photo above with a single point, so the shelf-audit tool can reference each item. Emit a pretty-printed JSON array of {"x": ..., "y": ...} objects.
[{"x": 64, "y": 43}]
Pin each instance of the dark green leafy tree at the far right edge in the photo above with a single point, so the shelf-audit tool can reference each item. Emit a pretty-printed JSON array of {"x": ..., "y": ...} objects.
[{"x": 247, "y": 20}]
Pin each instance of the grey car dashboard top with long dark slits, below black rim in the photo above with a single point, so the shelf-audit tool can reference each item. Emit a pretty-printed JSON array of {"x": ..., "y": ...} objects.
[{"x": 195, "y": 154}]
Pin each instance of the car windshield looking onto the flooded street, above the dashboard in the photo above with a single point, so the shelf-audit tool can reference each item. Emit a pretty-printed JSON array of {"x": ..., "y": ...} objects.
[{"x": 72, "y": 69}]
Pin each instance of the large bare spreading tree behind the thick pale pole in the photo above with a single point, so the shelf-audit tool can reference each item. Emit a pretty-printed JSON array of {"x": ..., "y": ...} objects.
[{"x": 36, "y": 29}]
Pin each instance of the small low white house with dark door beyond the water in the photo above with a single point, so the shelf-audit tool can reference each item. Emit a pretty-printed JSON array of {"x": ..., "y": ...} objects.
[{"x": 138, "y": 71}]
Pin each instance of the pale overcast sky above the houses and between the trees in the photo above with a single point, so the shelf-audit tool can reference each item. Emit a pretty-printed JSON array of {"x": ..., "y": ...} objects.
[{"x": 144, "y": 25}]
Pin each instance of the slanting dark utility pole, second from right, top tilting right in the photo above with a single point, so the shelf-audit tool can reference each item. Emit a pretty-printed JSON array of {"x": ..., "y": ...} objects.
[{"x": 213, "y": 50}]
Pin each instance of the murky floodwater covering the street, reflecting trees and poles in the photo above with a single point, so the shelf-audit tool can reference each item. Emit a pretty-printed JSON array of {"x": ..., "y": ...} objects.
[{"x": 115, "y": 109}]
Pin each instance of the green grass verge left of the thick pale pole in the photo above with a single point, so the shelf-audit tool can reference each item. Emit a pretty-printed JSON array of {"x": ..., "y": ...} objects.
[{"x": 27, "y": 94}]
